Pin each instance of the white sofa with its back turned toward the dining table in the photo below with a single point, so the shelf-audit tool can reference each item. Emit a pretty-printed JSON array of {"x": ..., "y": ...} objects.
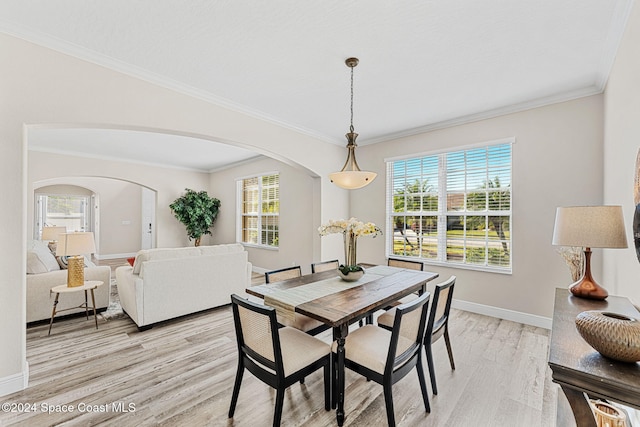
[{"x": 168, "y": 283}]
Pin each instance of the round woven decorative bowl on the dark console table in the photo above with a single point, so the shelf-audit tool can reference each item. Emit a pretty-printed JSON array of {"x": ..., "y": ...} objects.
[{"x": 615, "y": 336}]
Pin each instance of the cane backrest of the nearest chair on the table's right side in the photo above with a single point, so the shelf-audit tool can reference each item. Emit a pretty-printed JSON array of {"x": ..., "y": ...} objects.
[{"x": 408, "y": 331}]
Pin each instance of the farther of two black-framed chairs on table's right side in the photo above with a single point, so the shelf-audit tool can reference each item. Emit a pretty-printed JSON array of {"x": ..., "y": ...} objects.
[{"x": 437, "y": 326}]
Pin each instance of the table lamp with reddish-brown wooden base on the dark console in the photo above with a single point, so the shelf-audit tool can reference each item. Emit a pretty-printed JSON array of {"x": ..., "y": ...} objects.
[{"x": 589, "y": 227}]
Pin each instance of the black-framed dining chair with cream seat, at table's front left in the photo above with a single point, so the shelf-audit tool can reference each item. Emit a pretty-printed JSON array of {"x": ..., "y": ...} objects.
[{"x": 279, "y": 357}]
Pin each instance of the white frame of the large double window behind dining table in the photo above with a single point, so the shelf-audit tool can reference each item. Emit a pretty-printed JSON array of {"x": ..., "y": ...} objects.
[{"x": 442, "y": 213}]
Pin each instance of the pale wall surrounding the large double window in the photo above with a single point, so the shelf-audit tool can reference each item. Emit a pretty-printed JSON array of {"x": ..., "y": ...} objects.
[{"x": 554, "y": 147}]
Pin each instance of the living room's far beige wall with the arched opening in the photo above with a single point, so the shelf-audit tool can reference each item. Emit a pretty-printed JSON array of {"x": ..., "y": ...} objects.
[{"x": 121, "y": 201}]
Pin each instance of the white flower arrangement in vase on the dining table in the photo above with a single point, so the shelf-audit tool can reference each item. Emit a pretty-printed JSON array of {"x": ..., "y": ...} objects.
[{"x": 351, "y": 230}]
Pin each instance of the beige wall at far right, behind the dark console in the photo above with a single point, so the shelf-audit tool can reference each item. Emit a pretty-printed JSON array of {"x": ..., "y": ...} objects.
[{"x": 622, "y": 142}]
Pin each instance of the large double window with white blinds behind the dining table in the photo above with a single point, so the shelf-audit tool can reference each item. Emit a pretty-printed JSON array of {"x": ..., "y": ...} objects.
[{"x": 452, "y": 208}]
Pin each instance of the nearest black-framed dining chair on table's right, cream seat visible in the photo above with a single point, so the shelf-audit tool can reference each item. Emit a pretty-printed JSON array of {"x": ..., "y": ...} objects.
[{"x": 388, "y": 356}]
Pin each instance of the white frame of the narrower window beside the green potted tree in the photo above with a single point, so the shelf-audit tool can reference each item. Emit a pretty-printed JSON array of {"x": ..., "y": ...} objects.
[{"x": 259, "y": 215}]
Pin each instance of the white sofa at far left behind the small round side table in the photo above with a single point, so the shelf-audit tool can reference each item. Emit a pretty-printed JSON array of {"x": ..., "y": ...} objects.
[{"x": 44, "y": 272}]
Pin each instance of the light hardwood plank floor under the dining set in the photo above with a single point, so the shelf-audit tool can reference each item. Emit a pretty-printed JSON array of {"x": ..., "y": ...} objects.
[{"x": 181, "y": 373}]
